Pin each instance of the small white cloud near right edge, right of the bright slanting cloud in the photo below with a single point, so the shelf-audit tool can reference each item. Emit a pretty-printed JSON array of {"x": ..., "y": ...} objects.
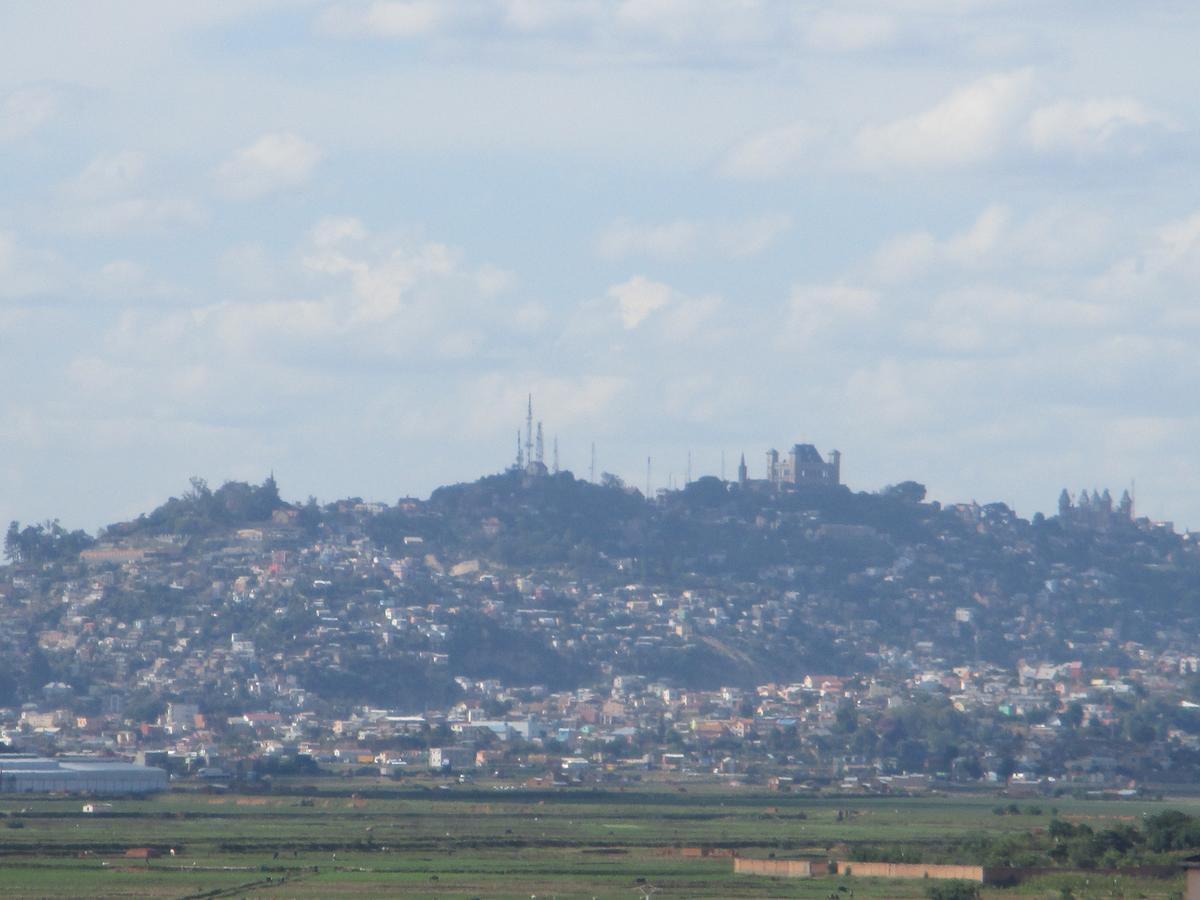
[{"x": 1090, "y": 127}]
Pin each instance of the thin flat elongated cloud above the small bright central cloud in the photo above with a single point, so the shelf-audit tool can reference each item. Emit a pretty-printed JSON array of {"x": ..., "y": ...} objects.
[{"x": 686, "y": 238}]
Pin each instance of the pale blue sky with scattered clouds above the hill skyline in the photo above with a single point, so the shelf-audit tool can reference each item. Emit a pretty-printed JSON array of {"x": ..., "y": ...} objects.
[{"x": 958, "y": 241}]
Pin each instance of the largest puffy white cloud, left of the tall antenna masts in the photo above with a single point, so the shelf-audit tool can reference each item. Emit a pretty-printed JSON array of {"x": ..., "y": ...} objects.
[{"x": 349, "y": 298}]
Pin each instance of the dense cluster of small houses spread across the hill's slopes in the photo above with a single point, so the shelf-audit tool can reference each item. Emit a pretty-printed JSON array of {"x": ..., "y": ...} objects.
[{"x": 215, "y": 656}]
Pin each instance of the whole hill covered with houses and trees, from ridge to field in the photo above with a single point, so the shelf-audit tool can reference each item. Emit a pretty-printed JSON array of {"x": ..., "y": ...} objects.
[{"x": 544, "y": 621}]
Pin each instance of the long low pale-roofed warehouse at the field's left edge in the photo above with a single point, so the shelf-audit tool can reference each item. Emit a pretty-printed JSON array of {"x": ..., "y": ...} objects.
[{"x": 35, "y": 775}]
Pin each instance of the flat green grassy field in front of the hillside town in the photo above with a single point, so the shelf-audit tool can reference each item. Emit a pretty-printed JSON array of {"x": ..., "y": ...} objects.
[{"x": 338, "y": 837}]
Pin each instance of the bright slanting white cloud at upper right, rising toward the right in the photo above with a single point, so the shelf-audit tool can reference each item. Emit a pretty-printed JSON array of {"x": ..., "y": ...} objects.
[{"x": 973, "y": 125}]
